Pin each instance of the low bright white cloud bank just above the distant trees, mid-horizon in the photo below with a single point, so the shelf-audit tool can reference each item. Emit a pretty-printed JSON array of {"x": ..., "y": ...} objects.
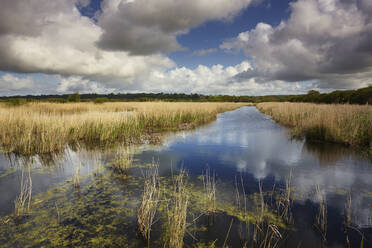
[{"x": 216, "y": 79}]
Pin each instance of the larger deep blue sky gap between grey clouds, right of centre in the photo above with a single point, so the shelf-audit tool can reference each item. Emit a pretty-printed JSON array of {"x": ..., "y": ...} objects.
[{"x": 213, "y": 33}]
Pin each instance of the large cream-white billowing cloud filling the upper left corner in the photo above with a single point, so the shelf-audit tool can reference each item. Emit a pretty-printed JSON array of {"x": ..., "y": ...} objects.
[{"x": 58, "y": 40}]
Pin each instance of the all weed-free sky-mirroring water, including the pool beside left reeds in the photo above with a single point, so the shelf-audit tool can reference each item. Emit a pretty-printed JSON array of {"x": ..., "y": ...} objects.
[{"x": 241, "y": 142}]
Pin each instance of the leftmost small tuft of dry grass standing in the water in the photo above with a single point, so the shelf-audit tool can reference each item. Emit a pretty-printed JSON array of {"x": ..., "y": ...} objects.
[{"x": 22, "y": 204}]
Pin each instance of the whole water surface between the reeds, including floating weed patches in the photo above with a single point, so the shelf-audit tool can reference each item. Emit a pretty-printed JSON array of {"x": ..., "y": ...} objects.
[{"x": 242, "y": 148}]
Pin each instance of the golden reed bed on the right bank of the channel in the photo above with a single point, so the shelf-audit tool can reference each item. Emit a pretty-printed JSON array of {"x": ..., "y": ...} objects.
[{"x": 347, "y": 124}]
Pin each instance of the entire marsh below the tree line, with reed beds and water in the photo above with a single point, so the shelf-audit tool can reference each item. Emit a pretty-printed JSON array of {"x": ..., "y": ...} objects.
[{"x": 161, "y": 174}]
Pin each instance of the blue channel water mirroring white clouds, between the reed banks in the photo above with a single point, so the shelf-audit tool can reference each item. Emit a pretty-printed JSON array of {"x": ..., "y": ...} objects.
[{"x": 245, "y": 141}]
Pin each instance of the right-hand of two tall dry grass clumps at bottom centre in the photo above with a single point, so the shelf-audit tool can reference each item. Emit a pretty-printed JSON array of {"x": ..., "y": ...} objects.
[{"x": 175, "y": 226}]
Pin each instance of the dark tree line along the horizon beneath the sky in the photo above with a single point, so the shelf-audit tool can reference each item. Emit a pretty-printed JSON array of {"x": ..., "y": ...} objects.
[{"x": 359, "y": 96}]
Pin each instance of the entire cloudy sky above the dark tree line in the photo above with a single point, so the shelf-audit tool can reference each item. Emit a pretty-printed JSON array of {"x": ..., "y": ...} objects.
[{"x": 235, "y": 47}]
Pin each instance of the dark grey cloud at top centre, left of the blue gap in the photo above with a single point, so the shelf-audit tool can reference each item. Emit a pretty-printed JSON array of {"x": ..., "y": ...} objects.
[{"x": 146, "y": 27}]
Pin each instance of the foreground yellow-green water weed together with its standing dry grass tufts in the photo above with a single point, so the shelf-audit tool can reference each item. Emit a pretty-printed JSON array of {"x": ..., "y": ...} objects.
[{"x": 102, "y": 213}]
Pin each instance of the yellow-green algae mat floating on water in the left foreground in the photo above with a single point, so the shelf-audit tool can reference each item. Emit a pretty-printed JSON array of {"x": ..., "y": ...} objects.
[{"x": 102, "y": 213}]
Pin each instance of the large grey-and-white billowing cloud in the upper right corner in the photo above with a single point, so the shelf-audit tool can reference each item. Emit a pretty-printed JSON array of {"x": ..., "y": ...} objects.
[{"x": 325, "y": 40}]
